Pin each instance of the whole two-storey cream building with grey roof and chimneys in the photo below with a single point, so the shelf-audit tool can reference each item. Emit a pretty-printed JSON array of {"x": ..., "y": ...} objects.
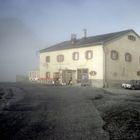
[{"x": 105, "y": 59}]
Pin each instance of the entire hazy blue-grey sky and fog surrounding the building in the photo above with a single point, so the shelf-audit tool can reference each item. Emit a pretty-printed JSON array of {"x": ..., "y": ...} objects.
[{"x": 27, "y": 26}]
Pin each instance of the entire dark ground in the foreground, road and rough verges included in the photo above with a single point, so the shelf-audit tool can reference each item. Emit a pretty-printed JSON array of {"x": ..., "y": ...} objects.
[{"x": 38, "y": 112}]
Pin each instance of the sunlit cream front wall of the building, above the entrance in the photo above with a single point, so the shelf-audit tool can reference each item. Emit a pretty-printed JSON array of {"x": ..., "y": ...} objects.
[{"x": 94, "y": 64}]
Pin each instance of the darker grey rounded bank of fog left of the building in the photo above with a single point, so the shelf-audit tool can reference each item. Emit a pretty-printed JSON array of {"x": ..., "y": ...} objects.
[{"x": 18, "y": 49}]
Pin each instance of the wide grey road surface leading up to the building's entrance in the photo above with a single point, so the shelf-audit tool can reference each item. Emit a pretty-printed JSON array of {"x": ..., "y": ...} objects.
[{"x": 57, "y": 113}]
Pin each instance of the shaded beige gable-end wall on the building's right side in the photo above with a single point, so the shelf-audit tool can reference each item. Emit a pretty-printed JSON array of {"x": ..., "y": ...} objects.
[{"x": 120, "y": 69}]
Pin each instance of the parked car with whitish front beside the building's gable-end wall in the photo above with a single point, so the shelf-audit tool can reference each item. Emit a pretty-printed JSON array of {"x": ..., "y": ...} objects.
[{"x": 132, "y": 84}]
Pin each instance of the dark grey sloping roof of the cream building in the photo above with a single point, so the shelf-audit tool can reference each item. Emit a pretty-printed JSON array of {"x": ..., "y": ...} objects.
[{"x": 93, "y": 40}]
